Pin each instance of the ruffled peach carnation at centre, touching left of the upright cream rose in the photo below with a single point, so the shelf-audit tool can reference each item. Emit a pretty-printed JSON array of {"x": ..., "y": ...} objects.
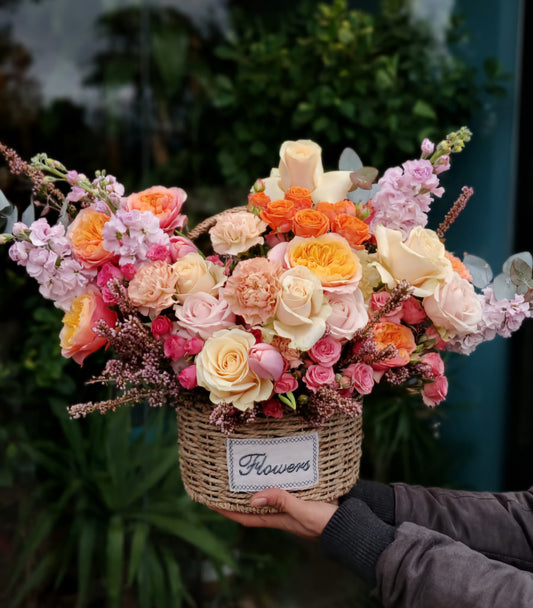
[{"x": 253, "y": 288}]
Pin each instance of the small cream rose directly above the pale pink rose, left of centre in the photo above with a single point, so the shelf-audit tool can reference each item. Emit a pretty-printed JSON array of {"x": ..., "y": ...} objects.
[{"x": 196, "y": 274}]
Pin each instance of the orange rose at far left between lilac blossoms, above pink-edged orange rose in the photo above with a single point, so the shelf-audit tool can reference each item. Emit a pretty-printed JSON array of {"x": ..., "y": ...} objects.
[{"x": 85, "y": 234}]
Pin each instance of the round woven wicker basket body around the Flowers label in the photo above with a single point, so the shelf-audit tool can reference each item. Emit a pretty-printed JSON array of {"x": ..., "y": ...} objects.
[{"x": 204, "y": 467}]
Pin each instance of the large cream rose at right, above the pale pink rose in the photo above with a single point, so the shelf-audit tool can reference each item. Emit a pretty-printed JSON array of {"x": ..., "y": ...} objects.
[{"x": 421, "y": 259}]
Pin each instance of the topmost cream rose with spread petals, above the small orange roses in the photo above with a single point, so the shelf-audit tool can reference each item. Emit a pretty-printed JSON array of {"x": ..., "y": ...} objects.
[{"x": 301, "y": 165}]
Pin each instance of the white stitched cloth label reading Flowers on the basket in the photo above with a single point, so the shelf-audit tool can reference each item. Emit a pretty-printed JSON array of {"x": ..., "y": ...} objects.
[{"x": 290, "y": 463}]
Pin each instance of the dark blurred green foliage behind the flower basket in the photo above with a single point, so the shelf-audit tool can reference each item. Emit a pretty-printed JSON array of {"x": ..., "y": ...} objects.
[{"x": 93, "y": 511}]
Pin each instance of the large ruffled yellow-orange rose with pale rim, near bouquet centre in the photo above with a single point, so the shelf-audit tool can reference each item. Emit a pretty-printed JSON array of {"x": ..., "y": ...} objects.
[{"x": 330, "y": 258}]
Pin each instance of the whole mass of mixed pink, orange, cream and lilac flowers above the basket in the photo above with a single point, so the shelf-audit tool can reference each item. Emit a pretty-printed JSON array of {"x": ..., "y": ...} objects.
[{"x": 322, "y": 286}]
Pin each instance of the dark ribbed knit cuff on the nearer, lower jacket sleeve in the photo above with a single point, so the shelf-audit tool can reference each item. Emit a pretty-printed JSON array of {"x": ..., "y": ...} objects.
[{"x": 357, "y": 537}]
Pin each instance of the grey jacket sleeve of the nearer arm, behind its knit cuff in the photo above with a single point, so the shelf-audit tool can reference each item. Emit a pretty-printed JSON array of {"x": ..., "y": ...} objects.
[{"x": 424, "y": 568}]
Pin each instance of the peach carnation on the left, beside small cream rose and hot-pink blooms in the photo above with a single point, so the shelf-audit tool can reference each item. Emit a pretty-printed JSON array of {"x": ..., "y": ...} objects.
[{"x": 153, "y": 288}]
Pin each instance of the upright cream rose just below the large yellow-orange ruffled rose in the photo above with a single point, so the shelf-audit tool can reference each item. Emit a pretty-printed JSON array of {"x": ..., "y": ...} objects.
[{"x": 302, "y": 308}]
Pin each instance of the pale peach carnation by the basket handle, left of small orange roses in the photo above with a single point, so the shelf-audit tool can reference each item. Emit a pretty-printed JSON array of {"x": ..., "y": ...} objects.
[{"x": 235, "y": 233}]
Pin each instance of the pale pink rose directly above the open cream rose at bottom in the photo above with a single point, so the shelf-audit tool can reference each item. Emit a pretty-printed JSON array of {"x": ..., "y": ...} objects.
[{"x": 203, "y": 314}]
